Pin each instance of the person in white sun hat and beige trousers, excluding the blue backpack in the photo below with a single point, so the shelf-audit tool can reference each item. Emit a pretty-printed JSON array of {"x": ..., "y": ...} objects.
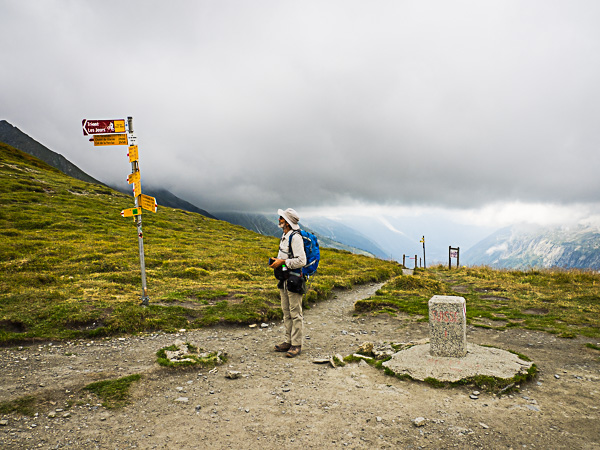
[{"x": 288, "y": 270}]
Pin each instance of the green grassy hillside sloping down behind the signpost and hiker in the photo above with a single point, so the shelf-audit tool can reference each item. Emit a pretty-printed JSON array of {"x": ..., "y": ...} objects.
[{"x": 69, "y": 263}]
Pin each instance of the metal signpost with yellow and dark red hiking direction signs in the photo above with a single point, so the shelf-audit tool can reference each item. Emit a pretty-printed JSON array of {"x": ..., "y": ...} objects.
[{"x": 117, "y": 132}]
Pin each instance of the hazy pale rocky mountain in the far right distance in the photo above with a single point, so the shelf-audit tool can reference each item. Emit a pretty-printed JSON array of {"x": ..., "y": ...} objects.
[{"x": 523, "y": 247}]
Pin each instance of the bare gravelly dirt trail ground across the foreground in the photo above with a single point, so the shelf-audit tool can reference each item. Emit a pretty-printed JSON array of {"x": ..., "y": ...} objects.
[{"x": 279, "y": 402}]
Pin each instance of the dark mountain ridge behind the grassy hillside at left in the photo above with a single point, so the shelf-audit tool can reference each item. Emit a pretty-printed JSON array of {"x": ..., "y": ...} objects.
[{"x": 14, "y": 137}]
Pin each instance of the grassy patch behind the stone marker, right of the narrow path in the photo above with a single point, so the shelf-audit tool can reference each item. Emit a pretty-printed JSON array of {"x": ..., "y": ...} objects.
[{"x": 565, "y": 303}]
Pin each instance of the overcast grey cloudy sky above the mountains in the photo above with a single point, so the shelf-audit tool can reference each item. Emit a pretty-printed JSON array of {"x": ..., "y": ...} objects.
[{"x": 484, "y": 106}]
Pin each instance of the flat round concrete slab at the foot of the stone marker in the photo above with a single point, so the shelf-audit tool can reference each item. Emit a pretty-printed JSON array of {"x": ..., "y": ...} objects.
[{"x": 417, "y": 363}]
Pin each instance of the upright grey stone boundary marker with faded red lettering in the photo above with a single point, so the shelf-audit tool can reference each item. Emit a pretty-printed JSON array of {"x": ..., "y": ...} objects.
[{"x": 448, "y": 326}]
